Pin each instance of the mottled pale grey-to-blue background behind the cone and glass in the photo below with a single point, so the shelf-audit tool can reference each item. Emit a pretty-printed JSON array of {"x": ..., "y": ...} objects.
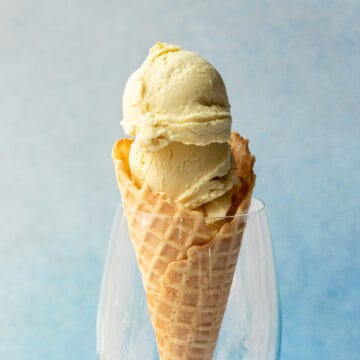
[{"x": 292, "y": 70}]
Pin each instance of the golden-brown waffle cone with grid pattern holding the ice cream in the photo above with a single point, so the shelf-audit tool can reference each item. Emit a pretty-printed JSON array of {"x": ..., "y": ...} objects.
[{"x": 187, "y": 268}]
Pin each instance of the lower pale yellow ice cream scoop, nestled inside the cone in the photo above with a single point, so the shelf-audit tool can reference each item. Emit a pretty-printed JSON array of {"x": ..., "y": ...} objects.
[{"x": 191, "y": 175}]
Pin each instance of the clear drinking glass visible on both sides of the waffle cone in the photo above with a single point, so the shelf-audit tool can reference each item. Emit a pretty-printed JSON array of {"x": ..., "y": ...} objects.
[{"x": 251, "y": 327}]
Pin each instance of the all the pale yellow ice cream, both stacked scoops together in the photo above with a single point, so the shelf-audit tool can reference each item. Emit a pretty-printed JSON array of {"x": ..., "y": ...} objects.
[{"x": 176, "y": 107}]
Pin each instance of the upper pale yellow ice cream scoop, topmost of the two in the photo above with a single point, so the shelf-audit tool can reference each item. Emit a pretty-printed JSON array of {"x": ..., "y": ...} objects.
[{"x": 176, "y": 95}]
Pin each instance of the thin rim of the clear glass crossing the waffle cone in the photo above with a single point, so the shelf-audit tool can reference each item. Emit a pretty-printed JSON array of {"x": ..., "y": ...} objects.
[{"x": 251, "y": 212}]
